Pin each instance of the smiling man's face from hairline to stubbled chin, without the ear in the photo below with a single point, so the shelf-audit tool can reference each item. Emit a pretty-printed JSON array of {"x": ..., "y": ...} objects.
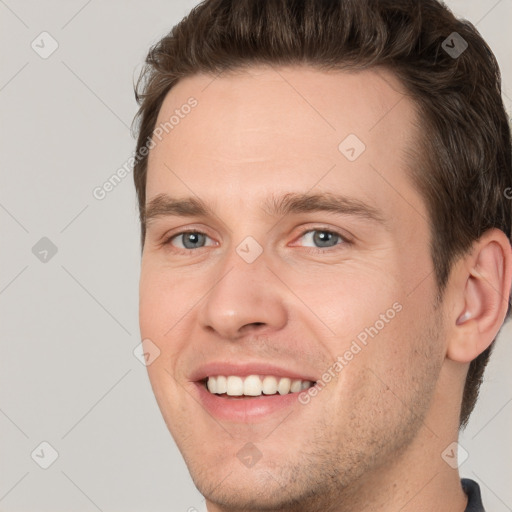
[{"x": 302, "y": 293}]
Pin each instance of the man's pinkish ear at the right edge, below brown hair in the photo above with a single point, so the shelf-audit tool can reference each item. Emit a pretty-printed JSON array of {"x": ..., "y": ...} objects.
[{"x": 480, "y": 284}]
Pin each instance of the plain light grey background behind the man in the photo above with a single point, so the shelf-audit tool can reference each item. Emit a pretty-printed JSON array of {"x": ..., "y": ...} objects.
[{"x": 69, "y": 326}]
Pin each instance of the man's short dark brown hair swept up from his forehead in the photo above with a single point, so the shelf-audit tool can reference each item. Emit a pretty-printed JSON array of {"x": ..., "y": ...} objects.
[{"x": 463, "y": 169}]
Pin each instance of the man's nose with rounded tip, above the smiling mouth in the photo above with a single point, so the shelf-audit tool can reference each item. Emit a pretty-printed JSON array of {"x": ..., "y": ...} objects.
[{"x": 245, "y": 298}]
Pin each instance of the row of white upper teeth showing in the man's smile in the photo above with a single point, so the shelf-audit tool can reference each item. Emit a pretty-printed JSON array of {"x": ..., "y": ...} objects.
[{"x": 255, "y": 385}]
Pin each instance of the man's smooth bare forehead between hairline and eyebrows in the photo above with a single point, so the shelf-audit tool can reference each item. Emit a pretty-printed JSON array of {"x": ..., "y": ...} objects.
[{"x": 287, "y": 128}]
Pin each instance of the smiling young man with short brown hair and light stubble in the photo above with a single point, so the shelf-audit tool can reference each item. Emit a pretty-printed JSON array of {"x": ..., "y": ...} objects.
[{"x": 326, "y": 248}]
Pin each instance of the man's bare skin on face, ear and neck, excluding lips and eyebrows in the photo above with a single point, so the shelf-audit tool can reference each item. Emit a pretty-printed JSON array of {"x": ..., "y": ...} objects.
[{"x": 372, "y": 439}]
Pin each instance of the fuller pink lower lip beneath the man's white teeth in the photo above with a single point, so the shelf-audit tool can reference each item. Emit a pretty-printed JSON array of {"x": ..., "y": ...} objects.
[{"x": 244, "y": 410}]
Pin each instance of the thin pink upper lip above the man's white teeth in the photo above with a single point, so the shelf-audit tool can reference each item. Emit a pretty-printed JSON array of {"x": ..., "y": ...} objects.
[{"x": 248, "y": 368}]
